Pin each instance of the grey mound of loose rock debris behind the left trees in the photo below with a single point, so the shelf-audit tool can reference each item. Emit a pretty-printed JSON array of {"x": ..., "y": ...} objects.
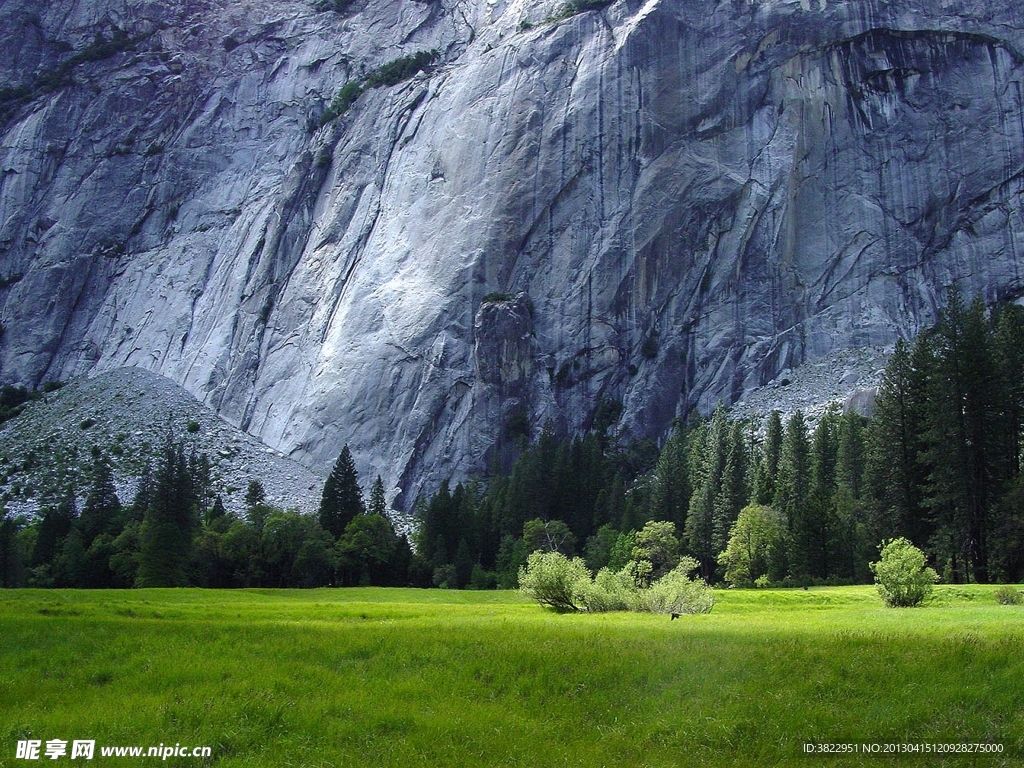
[{"x": 127, "y": 414}]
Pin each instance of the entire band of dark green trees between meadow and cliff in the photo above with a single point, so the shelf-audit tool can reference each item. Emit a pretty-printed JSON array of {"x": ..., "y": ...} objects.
[{"x": 782, "y": 503}]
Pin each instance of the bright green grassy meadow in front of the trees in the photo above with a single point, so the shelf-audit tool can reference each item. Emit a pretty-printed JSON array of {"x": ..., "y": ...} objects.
[{"x": 373, "y": 677}]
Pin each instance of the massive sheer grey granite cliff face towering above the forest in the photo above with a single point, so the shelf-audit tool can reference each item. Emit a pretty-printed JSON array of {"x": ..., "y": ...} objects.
[{"x": 691, "y": 196}]
